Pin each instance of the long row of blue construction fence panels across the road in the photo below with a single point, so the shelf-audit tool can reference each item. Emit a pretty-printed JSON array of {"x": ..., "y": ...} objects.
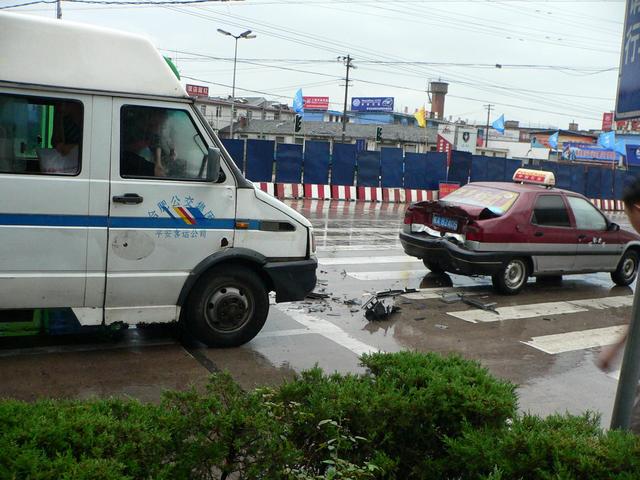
[{"x": 315, "y": 163}]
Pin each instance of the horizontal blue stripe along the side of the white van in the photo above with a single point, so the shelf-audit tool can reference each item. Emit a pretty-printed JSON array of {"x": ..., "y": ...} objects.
[{"x": 29, "y": 220}]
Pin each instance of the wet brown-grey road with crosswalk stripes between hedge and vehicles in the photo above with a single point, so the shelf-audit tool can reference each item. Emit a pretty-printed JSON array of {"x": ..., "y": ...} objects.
[{"x": 545, "y": 339}]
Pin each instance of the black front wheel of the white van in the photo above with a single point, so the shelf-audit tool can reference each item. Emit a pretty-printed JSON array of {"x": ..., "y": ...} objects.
[{"x": 227, "y": 308}]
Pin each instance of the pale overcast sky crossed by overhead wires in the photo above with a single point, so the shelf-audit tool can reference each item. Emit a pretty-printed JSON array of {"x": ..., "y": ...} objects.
[{"x": 559, "y": 57}]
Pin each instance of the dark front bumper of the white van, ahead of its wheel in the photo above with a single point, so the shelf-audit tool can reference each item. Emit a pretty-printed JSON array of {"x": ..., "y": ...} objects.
[{"x": 292, "y": 280}]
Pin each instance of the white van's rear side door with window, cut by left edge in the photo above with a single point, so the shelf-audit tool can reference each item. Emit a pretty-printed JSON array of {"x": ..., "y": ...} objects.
[{"x": 44, "y": 198}]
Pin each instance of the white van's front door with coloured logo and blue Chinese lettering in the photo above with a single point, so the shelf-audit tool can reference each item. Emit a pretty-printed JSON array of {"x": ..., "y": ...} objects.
[{"x": 164, "y": 216}]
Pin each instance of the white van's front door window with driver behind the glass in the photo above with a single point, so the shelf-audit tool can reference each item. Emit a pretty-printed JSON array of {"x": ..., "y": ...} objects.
[{"x": 160, "y": 143}]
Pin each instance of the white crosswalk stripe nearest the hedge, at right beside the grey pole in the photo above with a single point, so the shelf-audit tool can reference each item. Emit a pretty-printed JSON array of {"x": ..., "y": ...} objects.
[{"x": 570, "y": 341}]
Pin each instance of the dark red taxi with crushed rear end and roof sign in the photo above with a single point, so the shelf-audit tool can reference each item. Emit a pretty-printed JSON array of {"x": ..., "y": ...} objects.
[{"x": 512, "y": 231}]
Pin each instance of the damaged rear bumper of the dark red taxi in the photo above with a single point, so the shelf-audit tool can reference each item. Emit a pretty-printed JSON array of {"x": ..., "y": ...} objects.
[{"x": 450, "y": 256}]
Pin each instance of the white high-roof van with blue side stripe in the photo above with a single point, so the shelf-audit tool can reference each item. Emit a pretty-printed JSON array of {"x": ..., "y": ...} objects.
[{"x": 118, "y": 200}]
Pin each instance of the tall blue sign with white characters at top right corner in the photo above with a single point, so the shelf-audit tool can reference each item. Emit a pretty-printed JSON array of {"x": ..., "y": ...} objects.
[{"x": 628, "y": 97}]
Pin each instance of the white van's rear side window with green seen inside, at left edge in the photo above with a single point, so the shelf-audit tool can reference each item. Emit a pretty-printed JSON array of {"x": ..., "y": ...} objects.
[{"x": 40, "y": 135}]
